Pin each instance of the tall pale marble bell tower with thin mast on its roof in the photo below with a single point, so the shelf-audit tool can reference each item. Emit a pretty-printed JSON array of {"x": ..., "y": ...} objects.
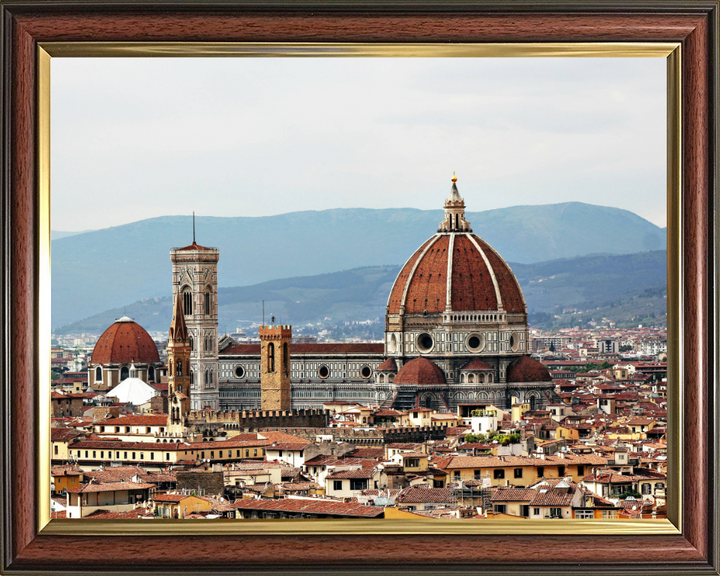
[{"x": 195, "y": 283}]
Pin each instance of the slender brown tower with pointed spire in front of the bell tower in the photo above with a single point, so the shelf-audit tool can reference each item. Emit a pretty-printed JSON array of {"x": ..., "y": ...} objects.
[{"x": 178, "y": 372}]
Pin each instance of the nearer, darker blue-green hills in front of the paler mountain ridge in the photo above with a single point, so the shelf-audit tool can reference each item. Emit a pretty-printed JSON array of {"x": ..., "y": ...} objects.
[{"x": 618, "y": 284}]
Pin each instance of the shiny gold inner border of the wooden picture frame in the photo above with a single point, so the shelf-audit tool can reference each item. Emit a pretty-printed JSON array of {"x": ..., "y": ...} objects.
[{"x": 669, "y": 50}]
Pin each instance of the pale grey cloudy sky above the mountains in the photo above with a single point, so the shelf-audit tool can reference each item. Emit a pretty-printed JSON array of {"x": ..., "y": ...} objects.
[{"x": 142, "y": 137}]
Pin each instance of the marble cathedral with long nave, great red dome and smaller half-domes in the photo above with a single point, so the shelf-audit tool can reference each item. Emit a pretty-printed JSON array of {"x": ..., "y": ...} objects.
[{"x": 455, "y": 331}]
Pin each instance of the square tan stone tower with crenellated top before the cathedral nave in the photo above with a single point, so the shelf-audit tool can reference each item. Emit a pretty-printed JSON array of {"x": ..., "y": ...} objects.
[{"x": 275, "y": 367}]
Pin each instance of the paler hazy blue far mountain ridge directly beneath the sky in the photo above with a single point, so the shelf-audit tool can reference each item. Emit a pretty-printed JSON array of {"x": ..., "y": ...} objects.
[{"x": 106, "y": 269}]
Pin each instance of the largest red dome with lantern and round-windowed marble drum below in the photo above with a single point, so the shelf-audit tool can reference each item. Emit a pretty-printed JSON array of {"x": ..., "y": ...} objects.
[{"x": 456, "y": 296}]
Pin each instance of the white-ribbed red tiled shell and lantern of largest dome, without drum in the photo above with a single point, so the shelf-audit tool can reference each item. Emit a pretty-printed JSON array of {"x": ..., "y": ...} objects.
[{"x": 455, "y": 270}]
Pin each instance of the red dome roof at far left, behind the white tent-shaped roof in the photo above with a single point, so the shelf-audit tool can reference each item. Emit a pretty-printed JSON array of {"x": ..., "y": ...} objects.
[{"x": 125, "y": 341}]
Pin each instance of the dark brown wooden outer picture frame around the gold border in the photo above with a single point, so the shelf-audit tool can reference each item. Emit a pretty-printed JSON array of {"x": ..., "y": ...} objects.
[{"x": 693, "y": 23}]
